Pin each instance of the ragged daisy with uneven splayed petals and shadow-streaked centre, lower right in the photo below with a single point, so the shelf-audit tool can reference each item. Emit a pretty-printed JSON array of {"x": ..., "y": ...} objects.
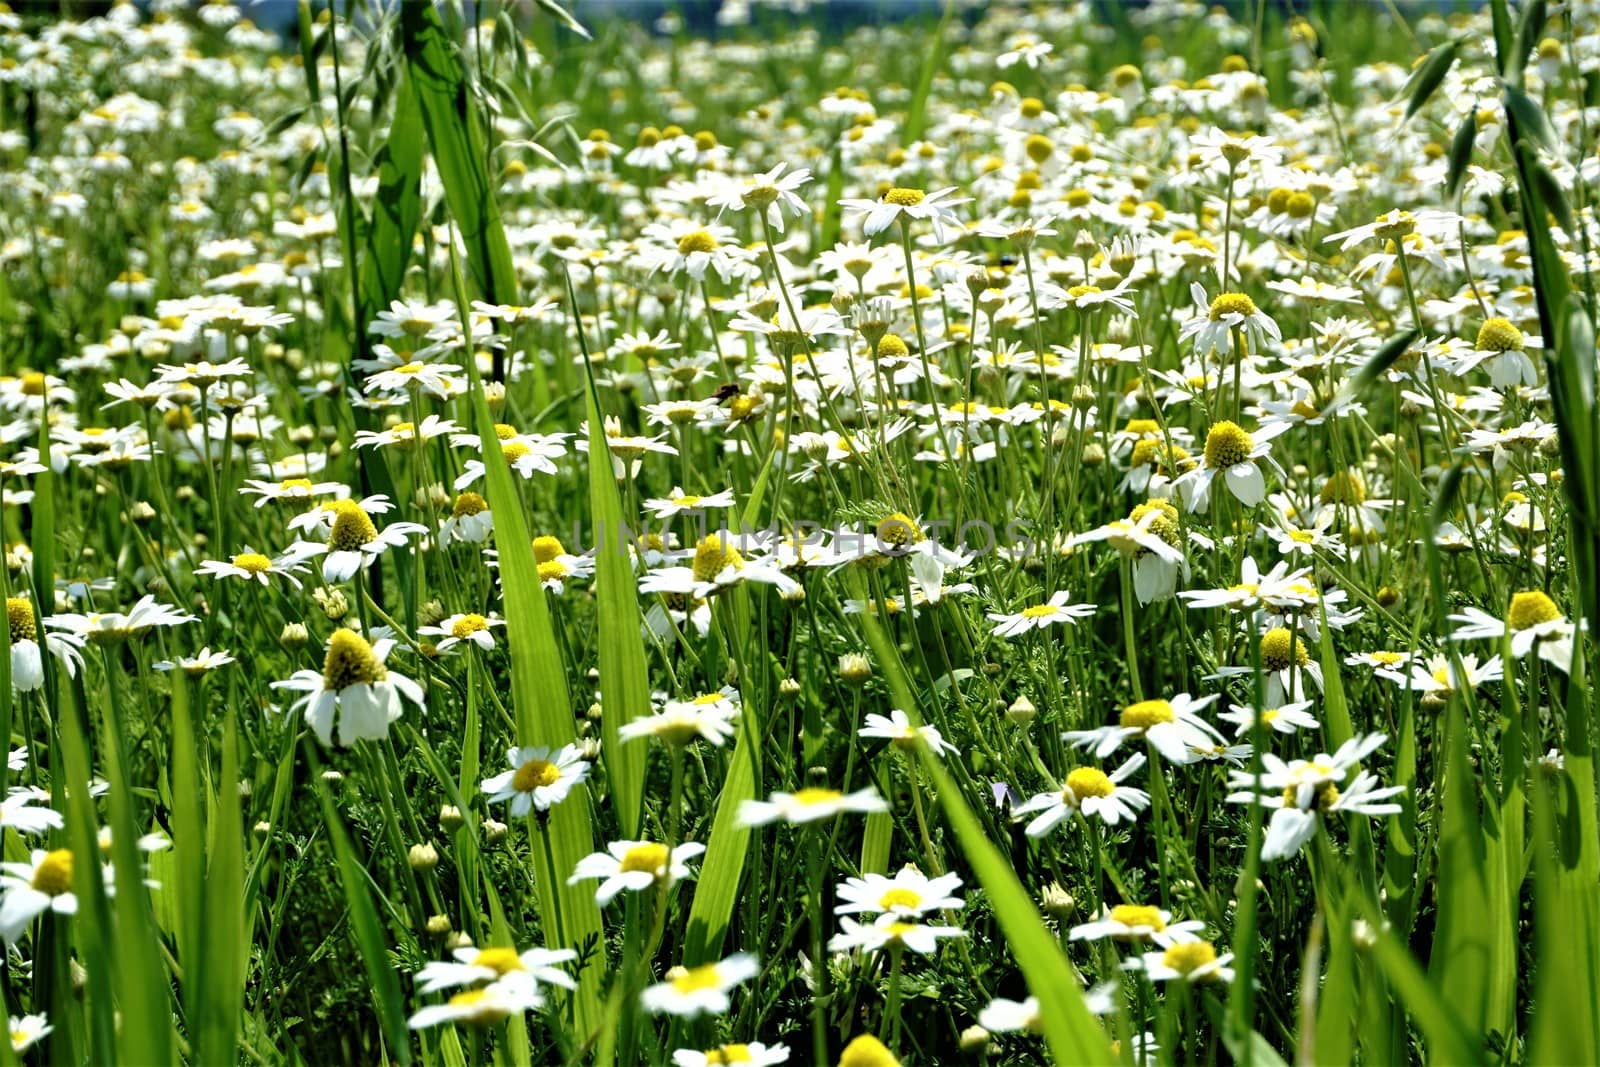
[{"x": 1302, "y": 791}]
